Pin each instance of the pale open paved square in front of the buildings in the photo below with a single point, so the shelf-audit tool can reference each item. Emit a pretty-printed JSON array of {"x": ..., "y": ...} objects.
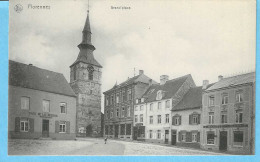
[{"x": 90, "y": 146}]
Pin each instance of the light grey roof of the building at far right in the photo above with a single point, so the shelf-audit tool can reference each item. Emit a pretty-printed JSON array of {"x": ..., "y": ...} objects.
[{"x": 233, "y": 81}]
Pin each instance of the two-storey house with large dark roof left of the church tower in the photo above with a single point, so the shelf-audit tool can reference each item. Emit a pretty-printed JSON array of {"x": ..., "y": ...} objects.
[{"x": 41, "y": 103}]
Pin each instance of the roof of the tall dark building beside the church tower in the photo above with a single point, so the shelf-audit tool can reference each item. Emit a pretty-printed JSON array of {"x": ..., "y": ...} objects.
[{"x": 139, "y": 78}]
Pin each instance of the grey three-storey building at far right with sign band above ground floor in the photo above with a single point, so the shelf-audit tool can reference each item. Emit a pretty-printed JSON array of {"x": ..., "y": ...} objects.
[{"x": 228, "y": 115}]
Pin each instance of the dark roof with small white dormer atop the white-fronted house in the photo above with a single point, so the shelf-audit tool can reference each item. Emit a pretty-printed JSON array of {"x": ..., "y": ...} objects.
[{"x": 169, "y": 89}]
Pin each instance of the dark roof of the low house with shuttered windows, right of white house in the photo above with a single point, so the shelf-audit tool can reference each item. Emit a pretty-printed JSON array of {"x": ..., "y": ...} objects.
[{"x": 192, "y": 99}]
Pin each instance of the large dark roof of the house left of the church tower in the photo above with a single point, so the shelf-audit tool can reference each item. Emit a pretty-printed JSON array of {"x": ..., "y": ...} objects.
[{"x": 28, "y": 76}]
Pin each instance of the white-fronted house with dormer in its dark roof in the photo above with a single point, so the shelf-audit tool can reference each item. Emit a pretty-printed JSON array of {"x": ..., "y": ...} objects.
[{"x": 156, "y": 108}]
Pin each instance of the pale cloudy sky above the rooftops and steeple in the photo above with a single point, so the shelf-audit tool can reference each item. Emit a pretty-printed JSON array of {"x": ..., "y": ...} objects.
[{"x": 203, "y": 38}]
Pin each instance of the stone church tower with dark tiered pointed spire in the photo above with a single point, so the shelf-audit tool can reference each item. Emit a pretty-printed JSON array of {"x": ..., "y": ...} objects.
[{"x": 85, "y": 80}]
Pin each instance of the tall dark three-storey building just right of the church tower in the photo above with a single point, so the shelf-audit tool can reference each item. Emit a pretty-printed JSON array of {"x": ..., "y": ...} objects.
[{"x": 119, "y": 104}]
